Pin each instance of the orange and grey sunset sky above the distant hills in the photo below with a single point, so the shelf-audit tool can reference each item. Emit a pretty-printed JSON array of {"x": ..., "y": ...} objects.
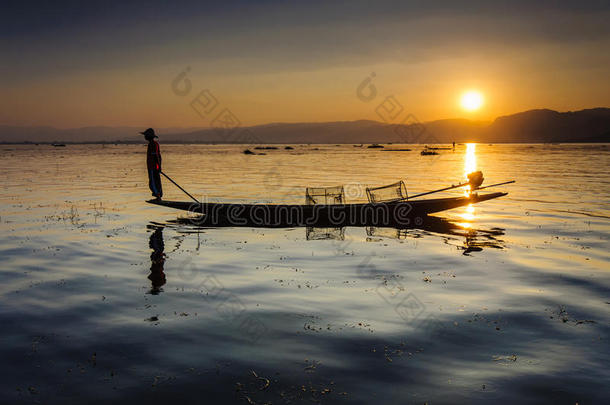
[{"x": 292, "y": 63}]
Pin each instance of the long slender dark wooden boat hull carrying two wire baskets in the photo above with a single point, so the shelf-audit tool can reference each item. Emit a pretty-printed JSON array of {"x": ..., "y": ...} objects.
[{"x": 400, "y": 213}]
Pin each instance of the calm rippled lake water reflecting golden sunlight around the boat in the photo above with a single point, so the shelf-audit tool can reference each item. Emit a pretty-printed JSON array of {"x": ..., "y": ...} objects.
[{"x": 107, "y": 298}]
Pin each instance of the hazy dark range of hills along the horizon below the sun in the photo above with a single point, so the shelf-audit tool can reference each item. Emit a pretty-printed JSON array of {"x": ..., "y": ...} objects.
[{"x": 534, "y": 126}]
